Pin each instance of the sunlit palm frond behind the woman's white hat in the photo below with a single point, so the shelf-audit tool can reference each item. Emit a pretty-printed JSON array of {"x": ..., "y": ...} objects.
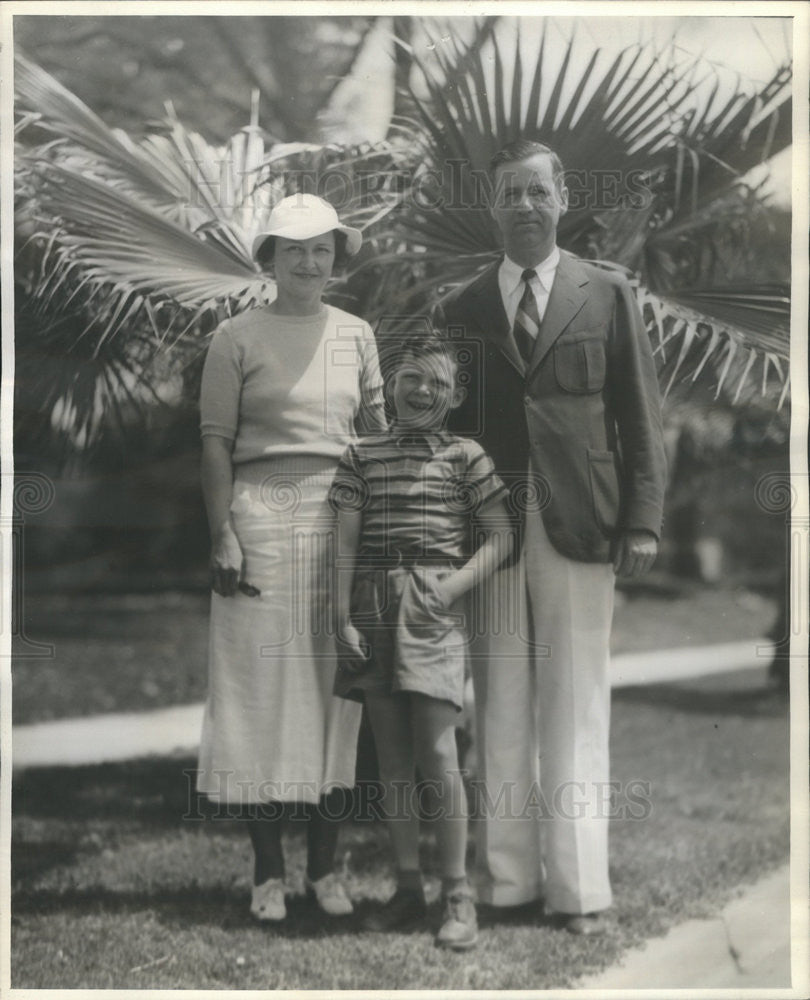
[{"x": 168, "y": 222}]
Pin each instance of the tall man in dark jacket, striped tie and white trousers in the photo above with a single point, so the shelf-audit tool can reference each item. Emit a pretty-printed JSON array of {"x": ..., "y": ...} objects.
[{"x": 563, "y": 395}]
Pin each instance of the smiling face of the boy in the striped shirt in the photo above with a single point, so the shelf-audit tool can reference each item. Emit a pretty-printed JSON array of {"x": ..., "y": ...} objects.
[{"x": 424, "y": 390}]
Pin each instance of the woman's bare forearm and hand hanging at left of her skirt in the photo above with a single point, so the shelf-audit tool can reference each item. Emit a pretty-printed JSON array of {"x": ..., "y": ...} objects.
[{"x": 226, "y": 561}]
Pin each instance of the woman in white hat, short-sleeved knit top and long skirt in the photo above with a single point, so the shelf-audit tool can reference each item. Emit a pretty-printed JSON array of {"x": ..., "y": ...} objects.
[{"x": 284, "y": 389}]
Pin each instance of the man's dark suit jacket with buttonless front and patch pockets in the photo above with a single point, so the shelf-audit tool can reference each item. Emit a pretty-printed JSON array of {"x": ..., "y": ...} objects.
[{"x": 587, "y": 410}]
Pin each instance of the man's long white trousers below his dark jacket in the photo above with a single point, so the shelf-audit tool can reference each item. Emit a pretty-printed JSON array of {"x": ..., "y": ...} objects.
[{"x": 540, "y": 675}]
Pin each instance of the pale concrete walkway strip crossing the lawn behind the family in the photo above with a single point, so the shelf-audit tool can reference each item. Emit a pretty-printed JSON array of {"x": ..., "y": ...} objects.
[{"x": 126, "y": 735}]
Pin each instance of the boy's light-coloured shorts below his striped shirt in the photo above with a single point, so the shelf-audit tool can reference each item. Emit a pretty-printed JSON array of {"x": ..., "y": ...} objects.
[{"x": 415, "y": 645}]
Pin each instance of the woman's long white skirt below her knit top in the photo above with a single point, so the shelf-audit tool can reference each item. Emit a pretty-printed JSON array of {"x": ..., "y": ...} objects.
[{"x": 272, "y": 729}]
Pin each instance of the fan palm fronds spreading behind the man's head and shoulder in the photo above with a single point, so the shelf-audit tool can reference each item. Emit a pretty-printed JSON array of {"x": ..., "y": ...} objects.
[{"x": 636, "y": 117}]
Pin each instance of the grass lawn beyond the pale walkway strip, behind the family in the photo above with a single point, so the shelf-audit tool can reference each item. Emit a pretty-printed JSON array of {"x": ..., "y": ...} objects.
[{"x": 140, "y": 651}]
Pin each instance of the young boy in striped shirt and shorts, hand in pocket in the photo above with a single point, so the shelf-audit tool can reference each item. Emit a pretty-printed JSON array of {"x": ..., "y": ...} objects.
[{"x": 406, "y": 500}]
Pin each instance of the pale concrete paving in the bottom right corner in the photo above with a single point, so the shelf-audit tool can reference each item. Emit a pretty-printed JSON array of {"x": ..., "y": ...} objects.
[{"x": 746, "y": 946}]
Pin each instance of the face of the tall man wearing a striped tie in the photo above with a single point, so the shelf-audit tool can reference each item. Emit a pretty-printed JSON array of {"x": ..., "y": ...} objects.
[{"x": 527, "y": 208}]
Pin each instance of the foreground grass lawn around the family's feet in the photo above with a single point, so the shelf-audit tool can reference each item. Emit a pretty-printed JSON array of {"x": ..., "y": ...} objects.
[{"x": 113, "y": 888}]
